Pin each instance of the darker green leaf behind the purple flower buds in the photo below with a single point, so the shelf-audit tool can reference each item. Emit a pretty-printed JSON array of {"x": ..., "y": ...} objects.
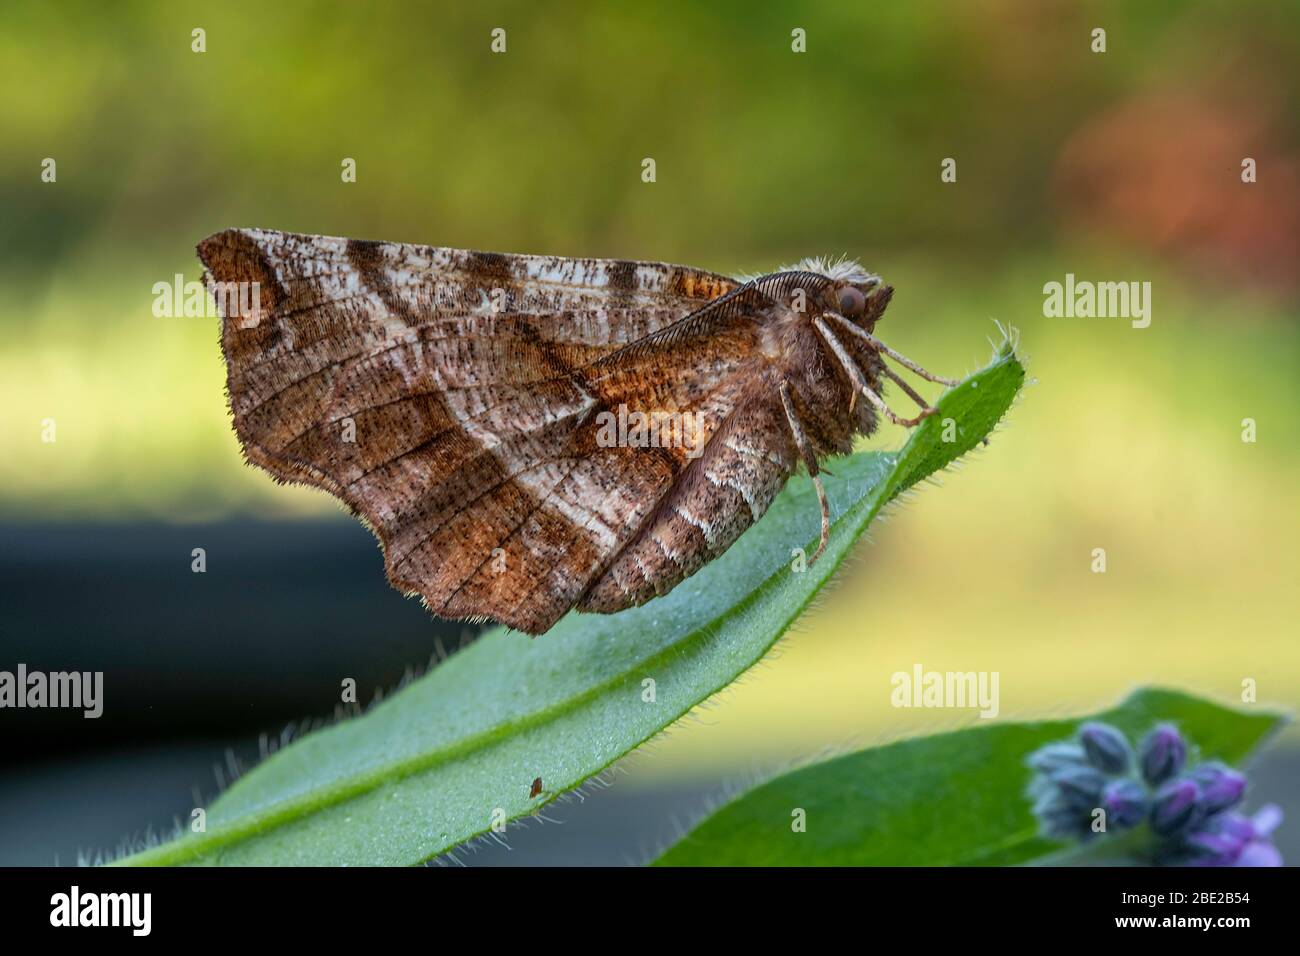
[{"x": 950, "y": 799}]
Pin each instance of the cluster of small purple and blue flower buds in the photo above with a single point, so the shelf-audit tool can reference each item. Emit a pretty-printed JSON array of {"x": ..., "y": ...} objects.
[{"x": 1097, "y": 784}]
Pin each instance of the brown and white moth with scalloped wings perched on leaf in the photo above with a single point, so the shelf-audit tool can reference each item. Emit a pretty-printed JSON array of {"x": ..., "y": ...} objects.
[{"x": 527, "y": 435}]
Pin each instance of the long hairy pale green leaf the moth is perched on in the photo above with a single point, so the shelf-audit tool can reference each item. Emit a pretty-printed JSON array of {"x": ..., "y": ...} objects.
[{"x": 439, "y": 763}]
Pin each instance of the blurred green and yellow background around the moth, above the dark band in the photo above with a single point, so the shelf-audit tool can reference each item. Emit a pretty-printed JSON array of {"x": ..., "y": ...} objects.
[{"x": 1124, "y": 166}]
